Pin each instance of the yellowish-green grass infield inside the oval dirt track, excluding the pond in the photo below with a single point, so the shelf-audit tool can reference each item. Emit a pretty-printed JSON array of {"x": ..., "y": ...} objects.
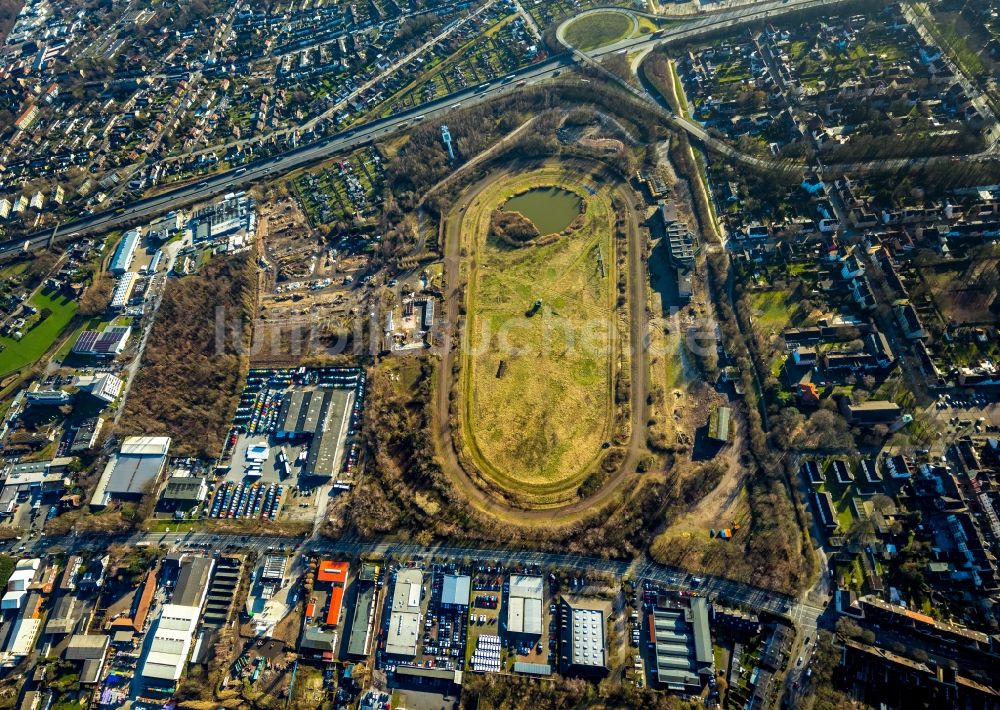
[{"x": 536, "y": 423}]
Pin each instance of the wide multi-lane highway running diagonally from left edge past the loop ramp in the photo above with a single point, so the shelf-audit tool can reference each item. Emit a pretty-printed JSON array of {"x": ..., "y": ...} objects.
[{"x": 267, "y": 168}]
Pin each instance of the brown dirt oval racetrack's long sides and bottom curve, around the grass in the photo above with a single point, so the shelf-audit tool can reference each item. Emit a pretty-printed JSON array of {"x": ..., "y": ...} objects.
[{"x": 452, "y": 340}]
